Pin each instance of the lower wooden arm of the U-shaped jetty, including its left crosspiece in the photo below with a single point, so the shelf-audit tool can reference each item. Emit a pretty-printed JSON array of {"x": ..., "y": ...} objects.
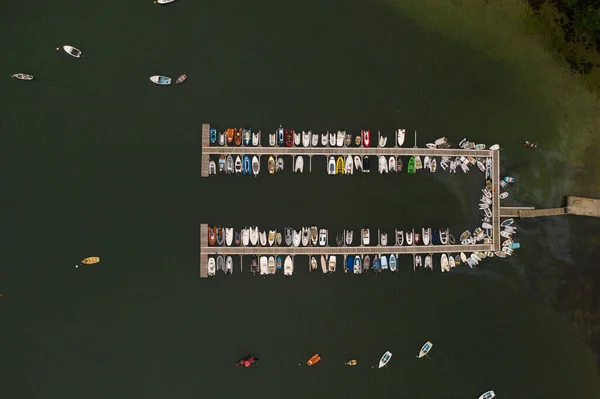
[{"x": 207, "y": 250}]
